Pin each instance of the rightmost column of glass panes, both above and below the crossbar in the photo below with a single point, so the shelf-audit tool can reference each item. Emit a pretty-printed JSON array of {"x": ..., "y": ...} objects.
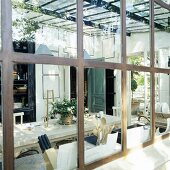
[{"x": 162, "y": 60}]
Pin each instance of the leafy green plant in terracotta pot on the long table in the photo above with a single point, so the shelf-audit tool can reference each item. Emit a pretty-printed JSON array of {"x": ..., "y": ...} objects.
[{"x": 66, "y": 109}]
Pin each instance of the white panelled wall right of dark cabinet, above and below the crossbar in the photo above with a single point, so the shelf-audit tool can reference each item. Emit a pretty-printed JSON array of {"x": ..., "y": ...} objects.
[{"x": 56, "y": 40}]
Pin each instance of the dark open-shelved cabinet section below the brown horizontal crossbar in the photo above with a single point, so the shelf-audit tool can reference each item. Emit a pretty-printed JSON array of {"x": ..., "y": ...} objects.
[{"x": 24, "y": 91}]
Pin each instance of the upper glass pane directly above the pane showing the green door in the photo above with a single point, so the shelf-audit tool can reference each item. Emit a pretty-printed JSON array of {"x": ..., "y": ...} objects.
[{"x": 102, "y": 31}]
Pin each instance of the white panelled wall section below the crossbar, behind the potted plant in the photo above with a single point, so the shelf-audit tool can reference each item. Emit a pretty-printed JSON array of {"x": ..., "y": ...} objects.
[{"x": 61, "y": 87}]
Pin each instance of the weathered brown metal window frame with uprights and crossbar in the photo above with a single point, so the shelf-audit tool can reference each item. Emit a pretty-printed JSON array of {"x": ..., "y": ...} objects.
[{"x": 8, "y": 58}]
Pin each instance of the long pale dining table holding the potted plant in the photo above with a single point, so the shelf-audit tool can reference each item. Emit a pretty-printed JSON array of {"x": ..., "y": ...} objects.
[{"x": 26, "y": 134}]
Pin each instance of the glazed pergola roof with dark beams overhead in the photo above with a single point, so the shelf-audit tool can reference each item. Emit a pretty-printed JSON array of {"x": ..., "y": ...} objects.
[{"x": 99, "y": 15}]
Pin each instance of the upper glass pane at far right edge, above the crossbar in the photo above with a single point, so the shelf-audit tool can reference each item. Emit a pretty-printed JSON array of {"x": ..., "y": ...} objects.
[{"x": 162, "y": 37}]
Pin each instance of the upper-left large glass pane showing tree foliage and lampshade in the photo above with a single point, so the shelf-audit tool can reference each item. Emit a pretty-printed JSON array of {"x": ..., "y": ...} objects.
[{"x": 50, "y": 25}]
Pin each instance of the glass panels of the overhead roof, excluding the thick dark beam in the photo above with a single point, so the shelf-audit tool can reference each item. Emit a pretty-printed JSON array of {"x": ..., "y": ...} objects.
[{"x": 95, "y": 14}]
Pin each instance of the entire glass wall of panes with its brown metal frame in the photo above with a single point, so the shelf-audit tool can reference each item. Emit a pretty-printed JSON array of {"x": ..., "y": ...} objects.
[{"x": 45, "y": 88}]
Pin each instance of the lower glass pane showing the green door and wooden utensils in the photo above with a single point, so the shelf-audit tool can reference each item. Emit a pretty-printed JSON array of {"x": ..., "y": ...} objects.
[{"x": 102, "y": 113}]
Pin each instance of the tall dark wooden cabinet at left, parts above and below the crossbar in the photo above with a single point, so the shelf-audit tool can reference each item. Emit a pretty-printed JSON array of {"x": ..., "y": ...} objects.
[{"x": 24, "y": 84}]
